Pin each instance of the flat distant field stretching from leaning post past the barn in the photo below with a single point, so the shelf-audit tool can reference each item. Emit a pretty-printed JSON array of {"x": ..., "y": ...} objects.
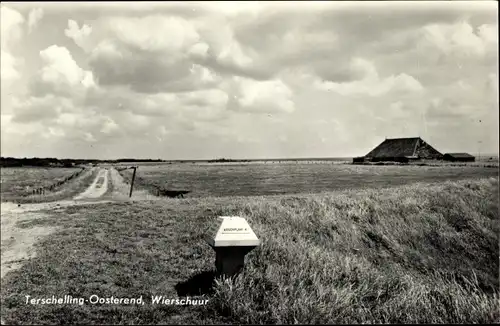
[{"x": 289, "y": 178}]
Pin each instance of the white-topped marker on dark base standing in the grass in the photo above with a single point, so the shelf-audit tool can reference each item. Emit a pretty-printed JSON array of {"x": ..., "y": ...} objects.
[{"x": 232, "y": 238}]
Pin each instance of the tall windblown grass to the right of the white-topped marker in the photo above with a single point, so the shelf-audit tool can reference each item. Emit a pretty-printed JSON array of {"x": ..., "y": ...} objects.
[{"x": 415, "y": 255}]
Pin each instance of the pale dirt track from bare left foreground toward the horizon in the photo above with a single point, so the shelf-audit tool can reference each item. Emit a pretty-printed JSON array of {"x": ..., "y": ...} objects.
[{"x": 17, "y": 241}]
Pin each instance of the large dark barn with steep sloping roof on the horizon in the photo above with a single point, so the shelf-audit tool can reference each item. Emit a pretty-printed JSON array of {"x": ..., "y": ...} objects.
[{"x": 400, "y": 150}]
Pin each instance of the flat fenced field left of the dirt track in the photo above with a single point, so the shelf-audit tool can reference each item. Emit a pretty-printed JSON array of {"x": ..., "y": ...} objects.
[{"x": 20, "y": 181}]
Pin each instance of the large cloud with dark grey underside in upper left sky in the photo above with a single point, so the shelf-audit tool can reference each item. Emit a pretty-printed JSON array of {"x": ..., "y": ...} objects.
[{"x": 126, "y": 51}]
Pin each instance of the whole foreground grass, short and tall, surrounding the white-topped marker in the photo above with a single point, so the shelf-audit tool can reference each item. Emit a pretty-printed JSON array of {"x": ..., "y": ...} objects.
[{"x": 419, "y": 253}]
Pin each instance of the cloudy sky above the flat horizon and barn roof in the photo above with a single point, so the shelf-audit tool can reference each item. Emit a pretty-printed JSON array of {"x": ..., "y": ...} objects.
[{"x": 204, "y": 80}]
